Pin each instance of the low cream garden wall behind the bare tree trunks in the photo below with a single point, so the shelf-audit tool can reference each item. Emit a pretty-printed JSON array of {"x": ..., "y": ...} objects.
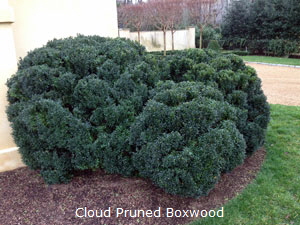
[{"x": 153, "y": 40}]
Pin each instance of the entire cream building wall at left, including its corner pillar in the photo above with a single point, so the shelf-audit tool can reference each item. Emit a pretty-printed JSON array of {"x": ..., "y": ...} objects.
[{"x": 29, "y": 24}]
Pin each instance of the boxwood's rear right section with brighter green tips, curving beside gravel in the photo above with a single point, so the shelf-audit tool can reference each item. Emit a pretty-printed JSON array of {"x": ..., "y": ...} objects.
[{"x": 238, "y": 83}]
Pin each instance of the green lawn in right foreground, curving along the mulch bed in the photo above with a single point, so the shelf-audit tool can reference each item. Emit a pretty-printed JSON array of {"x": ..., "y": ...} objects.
[{"x": 274, "y": 197}]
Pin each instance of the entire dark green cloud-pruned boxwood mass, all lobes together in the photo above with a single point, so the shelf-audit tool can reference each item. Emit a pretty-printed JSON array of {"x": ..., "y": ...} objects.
[{"x": 90, "y": 102}]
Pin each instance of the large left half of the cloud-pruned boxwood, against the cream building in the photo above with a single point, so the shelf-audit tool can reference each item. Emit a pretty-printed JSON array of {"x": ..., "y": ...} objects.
[{"x": 72, "y": 103}]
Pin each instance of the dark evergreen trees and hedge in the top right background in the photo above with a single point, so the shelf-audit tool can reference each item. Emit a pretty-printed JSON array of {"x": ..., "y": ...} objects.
[{"x": 264, "y": 26}]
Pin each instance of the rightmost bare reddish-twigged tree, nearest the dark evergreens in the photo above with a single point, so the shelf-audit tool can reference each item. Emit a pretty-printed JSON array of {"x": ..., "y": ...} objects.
[{"x": 203, "y": 13}]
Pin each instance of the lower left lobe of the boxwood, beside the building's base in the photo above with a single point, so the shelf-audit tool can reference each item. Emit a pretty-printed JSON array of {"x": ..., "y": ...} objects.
[{"x": 51, "y": 139}]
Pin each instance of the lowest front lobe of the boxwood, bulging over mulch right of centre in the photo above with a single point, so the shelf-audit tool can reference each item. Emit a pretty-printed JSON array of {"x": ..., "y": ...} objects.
[{"x": 187, "y": 171}]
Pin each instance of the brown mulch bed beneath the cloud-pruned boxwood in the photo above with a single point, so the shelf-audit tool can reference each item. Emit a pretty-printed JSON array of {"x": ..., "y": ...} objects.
[{"x": 26, "y": 199}]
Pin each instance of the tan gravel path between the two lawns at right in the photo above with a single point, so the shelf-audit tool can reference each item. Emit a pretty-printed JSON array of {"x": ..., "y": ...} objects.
[{"x": 281, "y": 85}]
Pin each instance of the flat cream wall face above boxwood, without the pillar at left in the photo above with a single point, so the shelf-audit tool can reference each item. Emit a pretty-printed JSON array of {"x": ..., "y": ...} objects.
[{"x": 38, "y": 21}]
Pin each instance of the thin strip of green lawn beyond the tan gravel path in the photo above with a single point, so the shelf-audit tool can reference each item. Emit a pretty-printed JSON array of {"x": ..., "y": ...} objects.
[{"x": 269, "y": 59}]
